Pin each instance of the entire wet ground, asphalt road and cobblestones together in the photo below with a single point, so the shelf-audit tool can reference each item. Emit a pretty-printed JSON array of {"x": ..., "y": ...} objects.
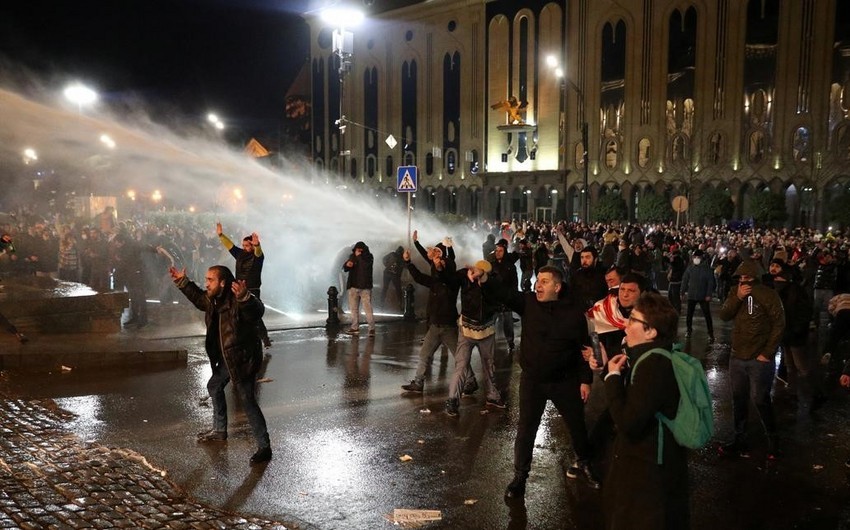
[{"x": 340, "y": 424}]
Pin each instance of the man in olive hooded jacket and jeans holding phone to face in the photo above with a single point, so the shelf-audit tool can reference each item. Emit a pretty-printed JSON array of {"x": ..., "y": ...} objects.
[{"x": 758, "y": 324}]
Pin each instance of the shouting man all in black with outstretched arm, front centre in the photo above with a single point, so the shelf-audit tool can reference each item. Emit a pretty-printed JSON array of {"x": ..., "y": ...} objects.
[{"x": 553, "y": 332}]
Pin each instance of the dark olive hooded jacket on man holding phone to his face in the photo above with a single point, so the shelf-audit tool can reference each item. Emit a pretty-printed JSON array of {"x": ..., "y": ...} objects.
[{"x": 756, "y": 331}]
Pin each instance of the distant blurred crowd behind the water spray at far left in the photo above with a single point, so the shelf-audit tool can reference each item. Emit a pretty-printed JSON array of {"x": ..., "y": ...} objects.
[{"x": 107, "y": 254}]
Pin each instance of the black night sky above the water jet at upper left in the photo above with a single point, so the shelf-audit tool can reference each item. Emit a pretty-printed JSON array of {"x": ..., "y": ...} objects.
[{"x": 236, "y": 57}]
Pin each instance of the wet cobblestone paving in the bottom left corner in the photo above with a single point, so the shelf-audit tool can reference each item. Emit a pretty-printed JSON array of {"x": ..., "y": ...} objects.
[{"x": 49, "y": 479}]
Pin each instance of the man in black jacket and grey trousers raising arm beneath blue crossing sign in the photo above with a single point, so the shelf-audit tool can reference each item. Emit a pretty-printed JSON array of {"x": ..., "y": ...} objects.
[{"x": 442, "y": 320}]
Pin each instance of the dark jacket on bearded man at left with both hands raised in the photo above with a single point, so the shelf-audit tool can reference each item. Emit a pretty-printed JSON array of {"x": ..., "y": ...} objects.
[{"x": 231, "y": 329}]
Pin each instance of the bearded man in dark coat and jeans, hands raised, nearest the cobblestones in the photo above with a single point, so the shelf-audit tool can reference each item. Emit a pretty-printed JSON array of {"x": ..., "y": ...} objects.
[{"x": 233, "y": 347}]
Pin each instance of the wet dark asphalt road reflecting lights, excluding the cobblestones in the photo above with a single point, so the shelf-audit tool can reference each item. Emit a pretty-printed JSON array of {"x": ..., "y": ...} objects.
[{"x": 339, "y": 424}]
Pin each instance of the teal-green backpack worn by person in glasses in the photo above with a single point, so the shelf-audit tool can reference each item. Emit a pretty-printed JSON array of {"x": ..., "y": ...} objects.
[{"x": 693, "y": 425}]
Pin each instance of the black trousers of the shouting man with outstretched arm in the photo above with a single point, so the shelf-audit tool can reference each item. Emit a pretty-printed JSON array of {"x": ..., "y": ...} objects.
[{"x": 533, "y": 395}]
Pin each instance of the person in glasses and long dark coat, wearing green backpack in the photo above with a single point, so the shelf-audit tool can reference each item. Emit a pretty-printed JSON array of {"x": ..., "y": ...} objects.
[{"x": 640, "y": 493}]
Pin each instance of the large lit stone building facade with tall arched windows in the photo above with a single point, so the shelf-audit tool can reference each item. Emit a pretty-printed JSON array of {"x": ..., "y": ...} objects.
[{"x": 494, "y": 101}]
